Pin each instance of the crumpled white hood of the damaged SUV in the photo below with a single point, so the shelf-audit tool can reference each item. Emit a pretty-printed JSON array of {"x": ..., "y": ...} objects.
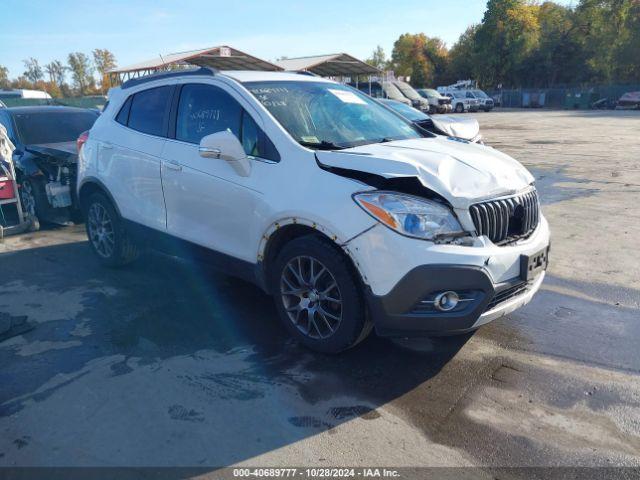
[{"x": 461, "y": 172}]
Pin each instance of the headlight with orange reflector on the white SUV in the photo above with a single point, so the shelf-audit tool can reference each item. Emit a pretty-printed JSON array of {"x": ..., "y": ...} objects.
[{"x": 412, "y": 216}]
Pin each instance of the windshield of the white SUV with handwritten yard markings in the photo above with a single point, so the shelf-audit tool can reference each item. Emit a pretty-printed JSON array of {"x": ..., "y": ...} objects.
[{"x": 328, "y": 115}]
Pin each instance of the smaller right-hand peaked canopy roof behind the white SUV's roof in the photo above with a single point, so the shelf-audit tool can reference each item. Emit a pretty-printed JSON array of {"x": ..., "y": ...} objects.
[{"x": 333, "y": 65}]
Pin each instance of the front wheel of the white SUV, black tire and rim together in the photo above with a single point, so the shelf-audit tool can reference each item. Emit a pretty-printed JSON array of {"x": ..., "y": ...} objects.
[{"x": 327, "y": 326}]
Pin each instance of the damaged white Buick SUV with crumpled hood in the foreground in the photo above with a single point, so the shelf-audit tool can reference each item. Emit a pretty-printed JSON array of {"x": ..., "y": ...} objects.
[{"x": 334, "y": 204}]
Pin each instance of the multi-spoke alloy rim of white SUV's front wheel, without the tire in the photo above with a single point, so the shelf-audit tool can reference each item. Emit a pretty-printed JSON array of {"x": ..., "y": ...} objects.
[{"x": 311, "y": 297}]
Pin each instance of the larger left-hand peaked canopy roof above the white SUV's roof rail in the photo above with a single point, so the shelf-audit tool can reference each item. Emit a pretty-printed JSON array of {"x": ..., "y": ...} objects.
[{"x": 221, "y": 58}]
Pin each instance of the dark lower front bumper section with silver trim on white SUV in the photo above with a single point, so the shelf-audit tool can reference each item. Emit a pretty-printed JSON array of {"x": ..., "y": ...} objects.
[{"x": 403, "y": 312}]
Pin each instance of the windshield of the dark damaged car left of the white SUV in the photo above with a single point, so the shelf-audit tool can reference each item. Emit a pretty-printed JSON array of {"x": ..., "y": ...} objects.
[{"x": 53, "y": 127}]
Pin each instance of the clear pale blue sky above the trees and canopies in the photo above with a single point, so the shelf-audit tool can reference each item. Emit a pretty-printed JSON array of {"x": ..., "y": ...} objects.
[{"x": 139, "y": 30}]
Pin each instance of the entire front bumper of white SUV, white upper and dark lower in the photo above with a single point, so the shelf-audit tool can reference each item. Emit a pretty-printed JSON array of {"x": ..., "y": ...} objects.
[{"x": 404, "y": 275}]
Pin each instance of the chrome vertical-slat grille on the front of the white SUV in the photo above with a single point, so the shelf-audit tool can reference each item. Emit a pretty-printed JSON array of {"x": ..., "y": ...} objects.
[{"x": 507, "y": 220}]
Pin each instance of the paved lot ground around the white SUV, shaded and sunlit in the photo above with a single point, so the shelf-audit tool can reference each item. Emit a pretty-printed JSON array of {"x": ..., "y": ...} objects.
[{"x": 166, "y": 364}]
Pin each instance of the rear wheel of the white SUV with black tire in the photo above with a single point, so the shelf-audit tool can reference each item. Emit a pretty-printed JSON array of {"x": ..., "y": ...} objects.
[{"x": 108, "y": 237}]
